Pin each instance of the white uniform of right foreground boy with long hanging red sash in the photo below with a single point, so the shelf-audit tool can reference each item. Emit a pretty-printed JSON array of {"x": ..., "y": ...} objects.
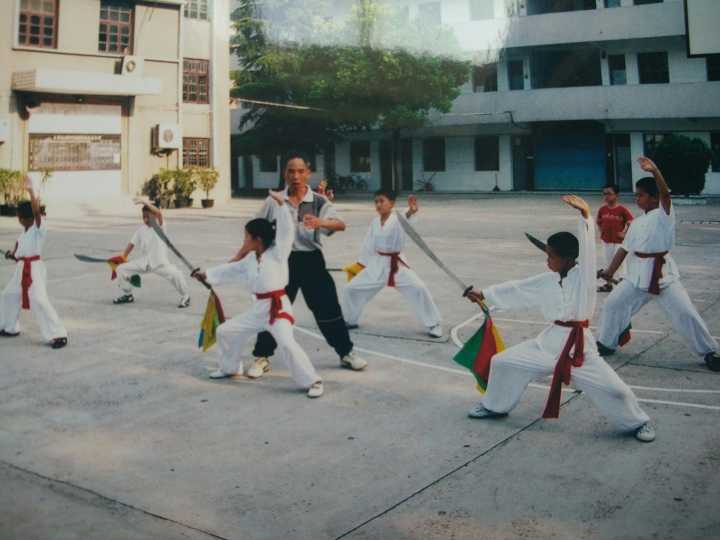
[{"x": 568, "y": 299}]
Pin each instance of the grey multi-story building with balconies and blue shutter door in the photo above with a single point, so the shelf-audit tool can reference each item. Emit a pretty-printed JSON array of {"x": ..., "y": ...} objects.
[{"x": 564, "y": 94}]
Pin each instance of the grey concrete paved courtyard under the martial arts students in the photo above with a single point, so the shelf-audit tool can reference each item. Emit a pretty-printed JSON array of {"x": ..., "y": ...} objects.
[{"x": 121, "y": 435}]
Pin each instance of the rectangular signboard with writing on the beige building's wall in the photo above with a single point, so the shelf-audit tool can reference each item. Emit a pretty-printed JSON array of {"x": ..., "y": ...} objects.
[{"x": 74, "y": 152}]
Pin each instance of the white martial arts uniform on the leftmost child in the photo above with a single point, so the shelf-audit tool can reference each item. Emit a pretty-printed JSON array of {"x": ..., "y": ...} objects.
[{"x": 30, "y": 244}]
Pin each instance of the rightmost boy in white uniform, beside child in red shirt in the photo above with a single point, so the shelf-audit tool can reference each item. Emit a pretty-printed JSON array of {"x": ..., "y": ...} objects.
[{"x": 652, "y": 274}]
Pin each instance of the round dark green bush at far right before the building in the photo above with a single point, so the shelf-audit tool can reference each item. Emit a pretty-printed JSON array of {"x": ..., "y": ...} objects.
[{"x": 684, "y": 163}]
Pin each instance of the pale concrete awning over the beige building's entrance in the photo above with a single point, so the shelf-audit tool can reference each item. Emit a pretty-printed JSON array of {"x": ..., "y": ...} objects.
[{"x": 55, "y": 81}]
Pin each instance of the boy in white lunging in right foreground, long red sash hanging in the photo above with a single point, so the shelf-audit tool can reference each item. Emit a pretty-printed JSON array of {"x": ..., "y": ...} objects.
[{"x": 566, "y": 295}]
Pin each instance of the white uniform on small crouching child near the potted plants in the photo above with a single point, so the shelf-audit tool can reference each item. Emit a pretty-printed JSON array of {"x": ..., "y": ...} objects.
[{"x": 152, "y": 257}]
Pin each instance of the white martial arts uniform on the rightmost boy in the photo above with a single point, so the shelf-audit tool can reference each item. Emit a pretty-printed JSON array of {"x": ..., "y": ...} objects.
[{"x": 653, "y": 232}]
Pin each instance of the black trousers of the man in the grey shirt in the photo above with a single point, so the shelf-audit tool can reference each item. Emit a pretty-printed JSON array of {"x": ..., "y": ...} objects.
[{"x": 309, "y": 275}]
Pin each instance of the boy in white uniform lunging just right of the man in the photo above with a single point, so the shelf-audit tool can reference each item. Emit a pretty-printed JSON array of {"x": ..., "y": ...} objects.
[{"x": 384, "y": 265}]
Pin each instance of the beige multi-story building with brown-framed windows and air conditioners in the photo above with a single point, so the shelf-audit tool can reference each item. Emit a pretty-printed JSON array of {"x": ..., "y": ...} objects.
[{"x": 106, "y": 92}]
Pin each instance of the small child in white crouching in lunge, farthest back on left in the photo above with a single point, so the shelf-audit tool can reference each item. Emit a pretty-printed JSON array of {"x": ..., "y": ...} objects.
[{"x": 153, "y": 258}]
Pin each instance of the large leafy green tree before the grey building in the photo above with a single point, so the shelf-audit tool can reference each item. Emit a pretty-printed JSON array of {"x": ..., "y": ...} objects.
[{"x": 370, "y": 67}]
